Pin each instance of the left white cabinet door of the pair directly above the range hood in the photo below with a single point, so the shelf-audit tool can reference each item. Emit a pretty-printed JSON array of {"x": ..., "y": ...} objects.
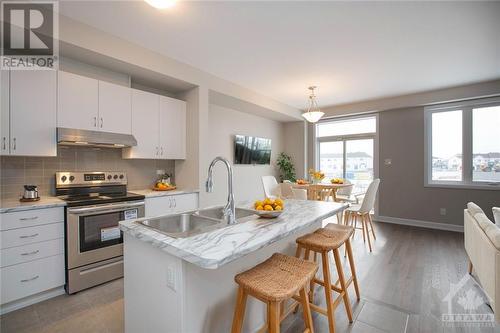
[{"x": 77, "y": 102}]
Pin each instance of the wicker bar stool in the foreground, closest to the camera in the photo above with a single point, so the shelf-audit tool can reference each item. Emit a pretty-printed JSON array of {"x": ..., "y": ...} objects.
[{"x": 274, "y": 281}]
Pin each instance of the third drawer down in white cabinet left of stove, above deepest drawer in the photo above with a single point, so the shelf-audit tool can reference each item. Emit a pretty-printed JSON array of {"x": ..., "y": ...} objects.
[{"x": 30, "y": 252}]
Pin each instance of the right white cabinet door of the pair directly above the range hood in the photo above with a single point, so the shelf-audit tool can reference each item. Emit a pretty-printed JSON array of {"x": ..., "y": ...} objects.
[{"x": 115, "y": 113}]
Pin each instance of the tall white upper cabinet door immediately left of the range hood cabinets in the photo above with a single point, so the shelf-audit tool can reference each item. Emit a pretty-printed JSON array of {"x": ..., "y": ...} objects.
[{"x": 33, "y": 112}]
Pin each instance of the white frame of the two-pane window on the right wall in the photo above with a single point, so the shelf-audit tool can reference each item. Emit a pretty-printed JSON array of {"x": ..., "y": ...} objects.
[{"x": 466, "y": 107}]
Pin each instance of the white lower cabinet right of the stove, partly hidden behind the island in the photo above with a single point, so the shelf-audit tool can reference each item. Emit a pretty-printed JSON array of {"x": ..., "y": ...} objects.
[{"x": 168, "y": 204}]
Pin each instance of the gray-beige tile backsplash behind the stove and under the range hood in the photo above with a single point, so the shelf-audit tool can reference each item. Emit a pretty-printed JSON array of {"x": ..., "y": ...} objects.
[{"x": 16, "y": 171}]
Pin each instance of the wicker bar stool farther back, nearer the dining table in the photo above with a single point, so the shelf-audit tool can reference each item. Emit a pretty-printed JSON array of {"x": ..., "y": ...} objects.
[{"x": 322, "y": 241}]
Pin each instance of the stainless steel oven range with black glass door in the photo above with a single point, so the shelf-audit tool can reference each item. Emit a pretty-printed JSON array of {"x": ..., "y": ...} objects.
[{"x": 96, "y": 203}]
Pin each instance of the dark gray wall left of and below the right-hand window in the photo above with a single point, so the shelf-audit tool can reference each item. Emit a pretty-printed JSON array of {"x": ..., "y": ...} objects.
[{"x": 402, "y": 192}]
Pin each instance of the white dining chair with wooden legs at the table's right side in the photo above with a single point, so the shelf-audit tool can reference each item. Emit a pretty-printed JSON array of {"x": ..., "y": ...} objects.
[{"x": 362, "y": 212}]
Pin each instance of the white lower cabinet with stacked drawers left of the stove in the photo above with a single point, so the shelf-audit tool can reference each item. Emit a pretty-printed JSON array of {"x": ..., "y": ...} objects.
[{"x": 31, "y": 255}]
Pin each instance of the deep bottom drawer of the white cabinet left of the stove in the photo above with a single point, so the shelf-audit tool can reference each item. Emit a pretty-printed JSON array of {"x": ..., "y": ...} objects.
[{"x": 30, "y": 278}]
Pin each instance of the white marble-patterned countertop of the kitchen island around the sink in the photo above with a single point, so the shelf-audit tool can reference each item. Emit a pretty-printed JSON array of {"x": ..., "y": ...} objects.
[{"x": 216, "y": 248}]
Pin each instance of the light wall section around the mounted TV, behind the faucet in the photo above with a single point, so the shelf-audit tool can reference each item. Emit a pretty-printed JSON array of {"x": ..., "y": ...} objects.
[{"x": 223, "y": 124}]
